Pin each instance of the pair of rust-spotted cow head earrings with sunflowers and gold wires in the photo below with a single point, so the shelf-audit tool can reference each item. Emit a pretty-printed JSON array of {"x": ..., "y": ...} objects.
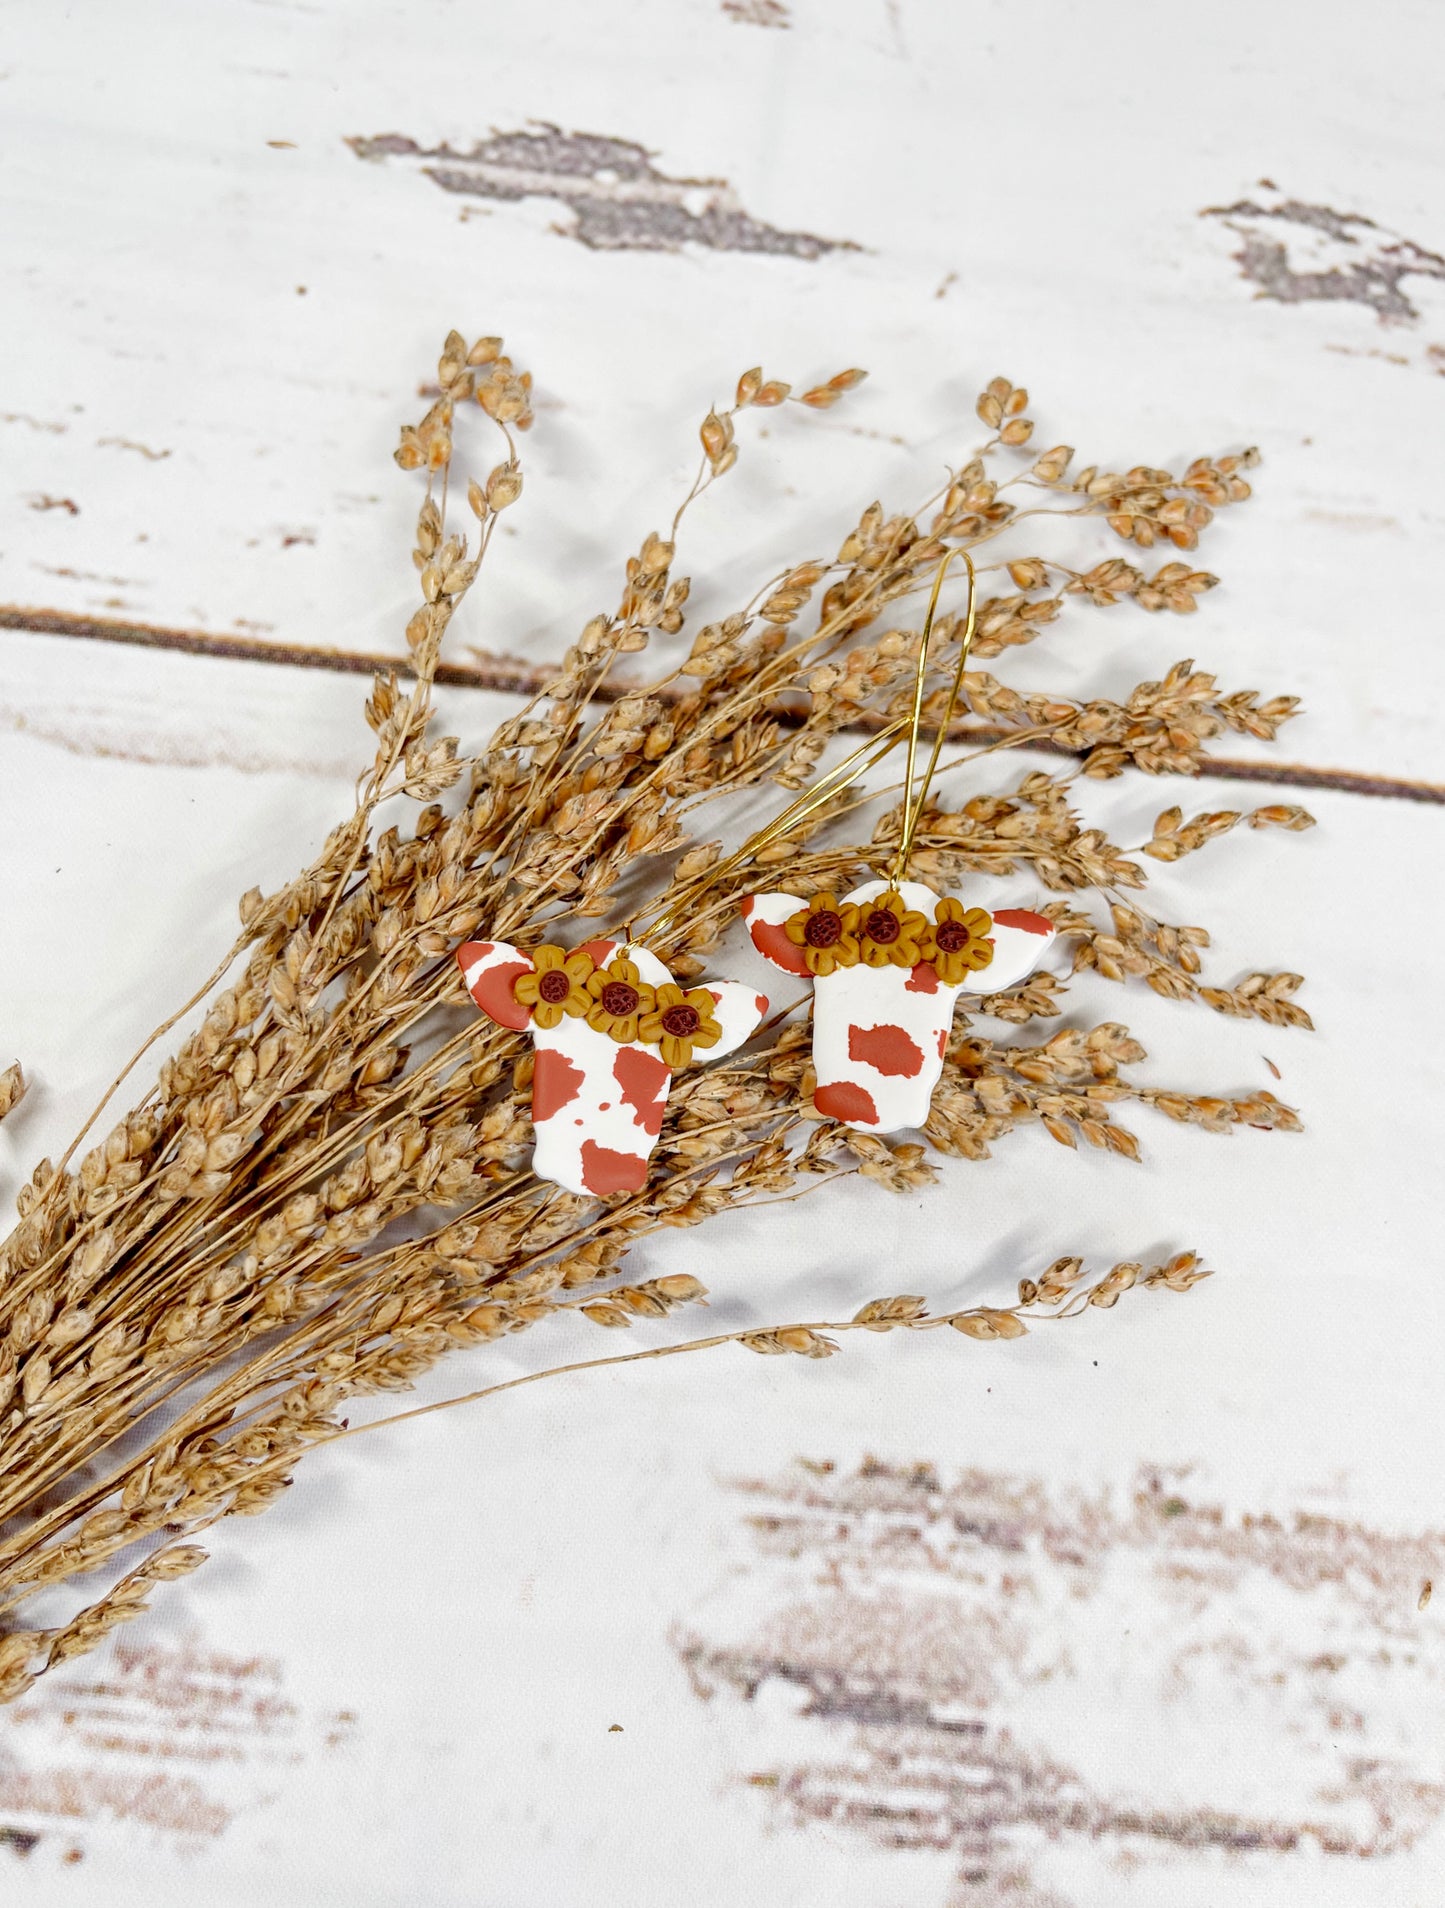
[{"x": 889, "y": 963}]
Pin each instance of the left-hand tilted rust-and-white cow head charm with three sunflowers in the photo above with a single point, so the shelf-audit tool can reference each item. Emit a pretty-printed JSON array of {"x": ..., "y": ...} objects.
[{"x": 610, "y": 1027}]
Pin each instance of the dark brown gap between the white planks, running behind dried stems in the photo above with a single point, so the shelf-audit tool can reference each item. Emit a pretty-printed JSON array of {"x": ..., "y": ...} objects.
[{"x": 509, "y": 676}]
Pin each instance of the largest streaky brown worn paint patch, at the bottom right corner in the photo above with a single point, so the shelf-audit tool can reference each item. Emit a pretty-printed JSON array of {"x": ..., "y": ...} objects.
[{"x": 921, "y": 1623}]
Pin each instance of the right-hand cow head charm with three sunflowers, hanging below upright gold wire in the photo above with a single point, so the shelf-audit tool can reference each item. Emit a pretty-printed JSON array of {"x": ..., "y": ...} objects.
[{"x": 889, "y": 964}]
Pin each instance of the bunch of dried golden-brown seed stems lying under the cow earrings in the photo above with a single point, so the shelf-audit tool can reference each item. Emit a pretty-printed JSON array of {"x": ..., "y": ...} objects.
[{"x": 327, "y": 1186}]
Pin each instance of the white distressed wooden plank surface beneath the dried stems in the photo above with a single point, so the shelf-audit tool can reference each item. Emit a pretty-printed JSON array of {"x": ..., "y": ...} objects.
[{"x": 402, "y": 1686}]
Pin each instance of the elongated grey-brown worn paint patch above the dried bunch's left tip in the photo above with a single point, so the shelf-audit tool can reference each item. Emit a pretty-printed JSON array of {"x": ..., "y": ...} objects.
[{"x": 618, "y": 197}]
